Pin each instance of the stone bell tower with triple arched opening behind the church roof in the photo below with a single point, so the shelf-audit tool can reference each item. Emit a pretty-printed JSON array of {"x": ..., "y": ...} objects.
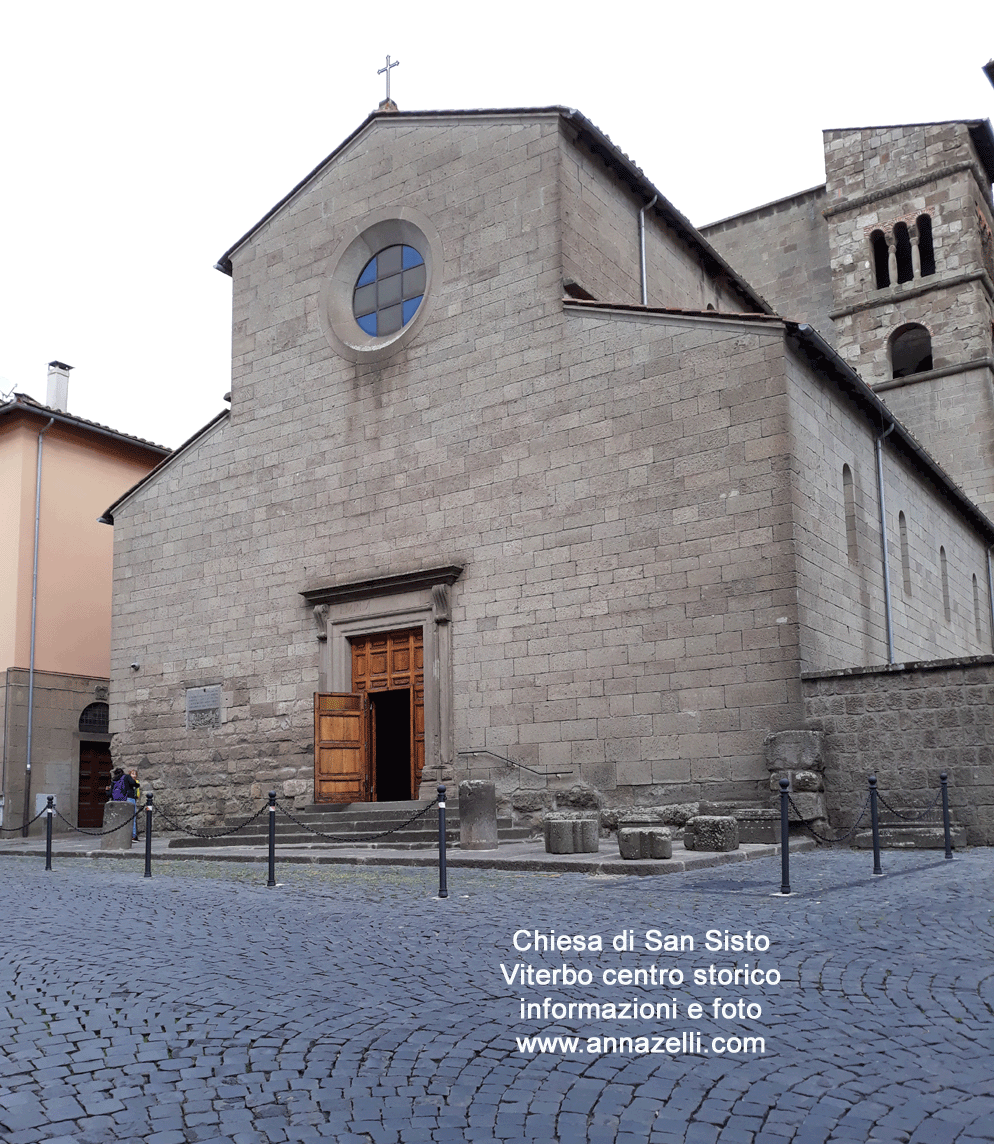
[{"x": 910, "y": 221}]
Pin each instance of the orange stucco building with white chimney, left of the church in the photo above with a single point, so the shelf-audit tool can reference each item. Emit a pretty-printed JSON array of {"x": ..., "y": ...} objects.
[{"x": 57, "y": 568}]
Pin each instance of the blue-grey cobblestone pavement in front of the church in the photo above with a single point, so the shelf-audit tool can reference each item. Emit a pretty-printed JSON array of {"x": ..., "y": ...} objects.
[{"x": 352, "y": 1005}]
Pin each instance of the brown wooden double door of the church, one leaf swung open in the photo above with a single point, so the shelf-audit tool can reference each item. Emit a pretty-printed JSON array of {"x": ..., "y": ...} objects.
[{"x": 370, "y": 742}]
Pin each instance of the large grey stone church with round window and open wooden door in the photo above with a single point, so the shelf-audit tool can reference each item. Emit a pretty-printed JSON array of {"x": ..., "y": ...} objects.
[{"x": 522, "y": 478}]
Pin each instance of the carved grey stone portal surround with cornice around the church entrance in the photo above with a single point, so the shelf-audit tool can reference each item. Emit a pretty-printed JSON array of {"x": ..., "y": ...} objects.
[{"x": 416, "y": 600}]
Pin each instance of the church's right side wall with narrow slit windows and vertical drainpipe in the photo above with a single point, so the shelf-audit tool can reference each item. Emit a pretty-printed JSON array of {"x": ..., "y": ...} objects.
[{"x": 840, "y": 559}]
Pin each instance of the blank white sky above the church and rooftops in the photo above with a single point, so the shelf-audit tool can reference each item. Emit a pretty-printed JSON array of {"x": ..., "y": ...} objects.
[{"x": 141, "y": 141}]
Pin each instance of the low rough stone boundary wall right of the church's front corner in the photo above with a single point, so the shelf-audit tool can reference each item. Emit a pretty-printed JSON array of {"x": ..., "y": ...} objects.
[{"x": 908, "y": 725}]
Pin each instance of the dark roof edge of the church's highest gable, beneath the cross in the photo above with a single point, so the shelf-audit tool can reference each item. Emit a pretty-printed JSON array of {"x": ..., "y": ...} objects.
[{"x": 593, "y": 139}]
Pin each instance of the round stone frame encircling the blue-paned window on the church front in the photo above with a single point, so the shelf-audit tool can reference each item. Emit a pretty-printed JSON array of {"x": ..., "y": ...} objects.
[{"x": 362, "y": 242}]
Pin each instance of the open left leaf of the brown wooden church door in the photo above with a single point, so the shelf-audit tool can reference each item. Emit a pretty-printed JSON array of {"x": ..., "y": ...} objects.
[{"x": 341, "y": 748}]
